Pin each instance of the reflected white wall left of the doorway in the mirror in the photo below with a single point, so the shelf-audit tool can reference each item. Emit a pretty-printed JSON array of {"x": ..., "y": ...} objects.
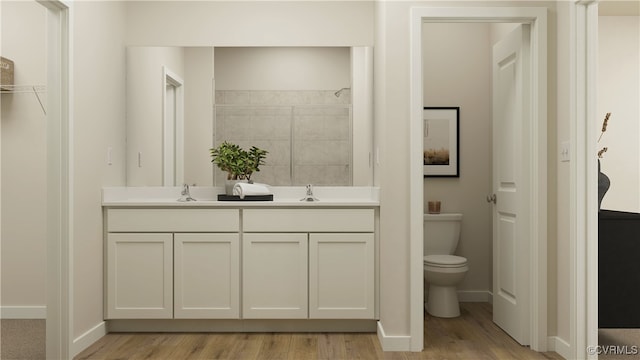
[{"x": 145, "y": 110}]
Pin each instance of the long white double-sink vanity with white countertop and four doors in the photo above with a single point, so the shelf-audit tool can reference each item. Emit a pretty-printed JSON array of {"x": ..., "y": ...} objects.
[{"x": 209, "y": 265}]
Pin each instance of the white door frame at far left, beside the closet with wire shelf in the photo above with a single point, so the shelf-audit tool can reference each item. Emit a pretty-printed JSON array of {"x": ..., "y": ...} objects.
[{"x": 59, "y": 282}]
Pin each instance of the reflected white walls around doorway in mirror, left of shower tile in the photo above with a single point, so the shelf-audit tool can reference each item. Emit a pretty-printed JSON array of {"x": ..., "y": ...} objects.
[{"x": 149, "y": 138}]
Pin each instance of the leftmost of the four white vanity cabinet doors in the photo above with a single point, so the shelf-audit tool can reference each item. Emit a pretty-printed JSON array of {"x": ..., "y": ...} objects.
[{"x": 139, "y": 276}]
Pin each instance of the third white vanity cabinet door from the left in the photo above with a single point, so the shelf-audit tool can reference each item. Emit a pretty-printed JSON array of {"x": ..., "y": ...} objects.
[{"x": 274, "y": 276}]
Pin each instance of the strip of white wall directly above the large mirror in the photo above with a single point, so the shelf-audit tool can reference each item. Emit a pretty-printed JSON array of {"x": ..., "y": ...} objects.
[{"x": 250, "y": 23}]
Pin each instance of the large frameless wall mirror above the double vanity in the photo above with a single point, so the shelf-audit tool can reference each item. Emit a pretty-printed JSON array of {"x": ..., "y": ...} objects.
[{"x": 310, "y": 107}]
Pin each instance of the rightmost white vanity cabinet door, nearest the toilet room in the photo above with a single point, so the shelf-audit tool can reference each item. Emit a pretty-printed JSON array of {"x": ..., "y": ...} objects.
[{"x": 341, "y": 276}]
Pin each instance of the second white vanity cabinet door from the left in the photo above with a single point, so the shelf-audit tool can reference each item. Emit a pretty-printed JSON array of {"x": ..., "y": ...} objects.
[{"x": 207, "y": 276}]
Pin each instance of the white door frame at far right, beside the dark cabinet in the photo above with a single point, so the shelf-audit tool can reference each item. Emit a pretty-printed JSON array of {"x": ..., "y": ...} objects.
[{"x": 583, "y": 236}]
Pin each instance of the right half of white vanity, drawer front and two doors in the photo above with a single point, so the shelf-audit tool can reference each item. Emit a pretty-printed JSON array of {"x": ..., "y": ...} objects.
[{"x": 325, "y": 254}]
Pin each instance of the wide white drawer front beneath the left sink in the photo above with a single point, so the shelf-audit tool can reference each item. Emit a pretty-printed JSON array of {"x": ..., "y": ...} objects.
[{"x": 173, "y": 220}]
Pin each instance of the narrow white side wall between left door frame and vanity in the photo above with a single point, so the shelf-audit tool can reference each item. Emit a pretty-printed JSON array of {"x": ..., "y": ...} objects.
[{"x": 99, "y": 122}]
